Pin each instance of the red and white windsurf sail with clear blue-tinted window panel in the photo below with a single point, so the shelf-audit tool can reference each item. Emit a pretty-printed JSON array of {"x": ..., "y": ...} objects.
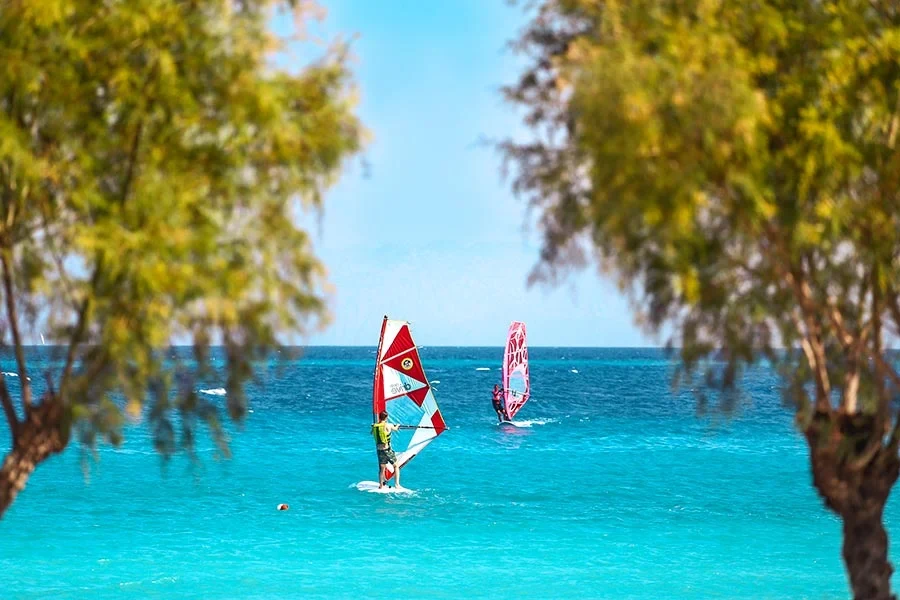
[{"x": 401, "y": 387}]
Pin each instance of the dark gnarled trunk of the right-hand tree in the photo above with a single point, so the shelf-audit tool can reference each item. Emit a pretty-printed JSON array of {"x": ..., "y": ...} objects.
[{"x": 854, "y": 472}]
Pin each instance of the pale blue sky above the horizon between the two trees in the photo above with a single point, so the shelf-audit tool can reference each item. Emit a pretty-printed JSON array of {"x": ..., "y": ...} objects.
[{"x": 433, "y": 234}]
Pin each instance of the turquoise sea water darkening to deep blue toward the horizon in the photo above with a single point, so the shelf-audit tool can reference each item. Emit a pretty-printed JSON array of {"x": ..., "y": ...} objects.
[{"x": 617, "y": 490}]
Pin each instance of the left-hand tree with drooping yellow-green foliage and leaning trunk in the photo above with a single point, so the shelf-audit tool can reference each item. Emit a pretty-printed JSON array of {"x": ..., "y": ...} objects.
[{"x": 152, "y": 160}]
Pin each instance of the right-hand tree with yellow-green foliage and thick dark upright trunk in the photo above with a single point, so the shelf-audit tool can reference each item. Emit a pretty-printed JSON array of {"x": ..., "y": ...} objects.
[{"x": 735, "y": 166}]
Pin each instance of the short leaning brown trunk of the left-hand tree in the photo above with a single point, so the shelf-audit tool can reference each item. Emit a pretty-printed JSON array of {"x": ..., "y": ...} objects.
[{"x": 39, "y": 437}]
